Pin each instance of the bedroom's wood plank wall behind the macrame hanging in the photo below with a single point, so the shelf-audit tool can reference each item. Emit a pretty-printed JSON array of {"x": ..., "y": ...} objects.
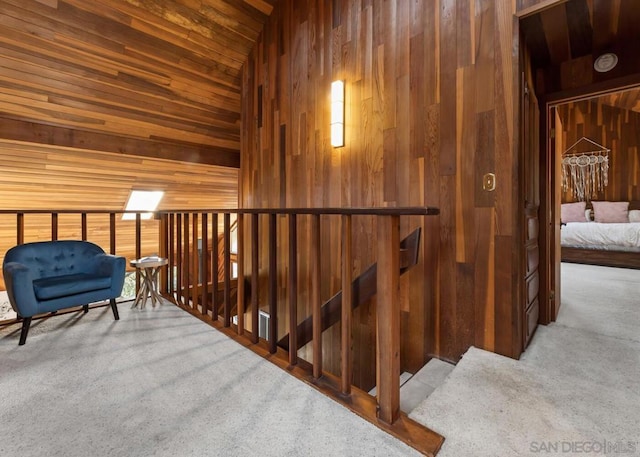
[{"x": 615, "y": 128}]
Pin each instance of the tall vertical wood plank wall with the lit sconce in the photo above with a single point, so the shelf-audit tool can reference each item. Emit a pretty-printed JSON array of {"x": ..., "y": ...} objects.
[{"x": 431, "y": 105}]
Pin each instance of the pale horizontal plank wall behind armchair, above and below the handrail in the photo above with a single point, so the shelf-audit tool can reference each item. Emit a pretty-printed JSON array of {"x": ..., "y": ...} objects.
[{"x": 46, "y": 177}]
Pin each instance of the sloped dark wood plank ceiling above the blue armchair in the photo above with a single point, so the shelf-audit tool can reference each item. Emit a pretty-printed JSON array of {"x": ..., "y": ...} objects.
[{"x": 159, "y": 78}]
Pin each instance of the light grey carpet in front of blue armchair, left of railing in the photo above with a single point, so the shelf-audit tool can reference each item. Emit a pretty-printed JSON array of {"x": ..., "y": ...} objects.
[{"x": 162, "y": 383}]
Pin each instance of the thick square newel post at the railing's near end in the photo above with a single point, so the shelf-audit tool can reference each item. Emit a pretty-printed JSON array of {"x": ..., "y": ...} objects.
[{"x": 388, "y": 319}]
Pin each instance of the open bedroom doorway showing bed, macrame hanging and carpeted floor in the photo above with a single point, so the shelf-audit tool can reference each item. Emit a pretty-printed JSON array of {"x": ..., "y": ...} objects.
[{"x": 596, "y": 163}]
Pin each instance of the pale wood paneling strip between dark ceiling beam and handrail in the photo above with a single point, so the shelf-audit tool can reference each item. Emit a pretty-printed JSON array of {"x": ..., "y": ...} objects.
[{"x": 44, "y": 177}]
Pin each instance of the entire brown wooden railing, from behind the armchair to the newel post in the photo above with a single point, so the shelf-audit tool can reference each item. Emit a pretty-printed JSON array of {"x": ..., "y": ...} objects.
[{"x": 193, "y": 240}]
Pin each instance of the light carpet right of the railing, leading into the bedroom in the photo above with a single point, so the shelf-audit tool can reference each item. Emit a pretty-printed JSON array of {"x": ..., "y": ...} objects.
[{"x": 574, "y": 389}]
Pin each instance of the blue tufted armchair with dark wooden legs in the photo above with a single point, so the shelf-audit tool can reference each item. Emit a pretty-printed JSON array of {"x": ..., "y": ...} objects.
[{"x": 47, "y": 276}]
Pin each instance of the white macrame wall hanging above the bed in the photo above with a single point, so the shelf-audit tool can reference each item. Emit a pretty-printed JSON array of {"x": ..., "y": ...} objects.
[{"x": 585, "y": 173}]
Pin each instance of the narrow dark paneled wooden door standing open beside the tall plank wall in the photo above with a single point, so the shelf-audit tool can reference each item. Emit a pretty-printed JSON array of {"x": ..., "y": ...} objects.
[{"x": 531, "y": 183}]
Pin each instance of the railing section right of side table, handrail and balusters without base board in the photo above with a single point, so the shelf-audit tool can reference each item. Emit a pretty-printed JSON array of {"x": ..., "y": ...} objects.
[{"x": 186, "y": 233}]
